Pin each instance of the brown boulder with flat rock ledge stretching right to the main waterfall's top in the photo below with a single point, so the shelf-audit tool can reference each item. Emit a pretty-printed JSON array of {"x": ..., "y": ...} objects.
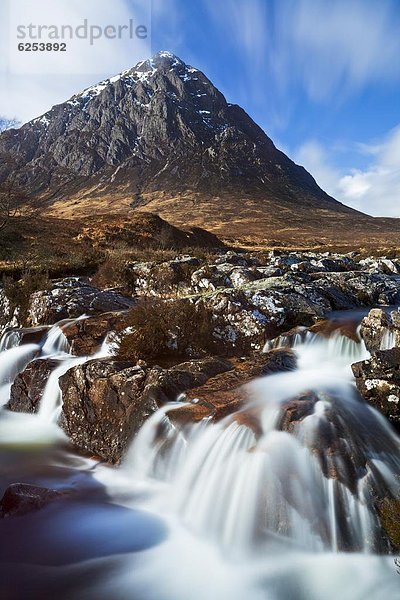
[{"x": 106, "y": 401}]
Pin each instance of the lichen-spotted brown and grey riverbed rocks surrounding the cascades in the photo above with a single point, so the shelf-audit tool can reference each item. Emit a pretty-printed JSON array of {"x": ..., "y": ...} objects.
[{"x": 251, "y": 302}]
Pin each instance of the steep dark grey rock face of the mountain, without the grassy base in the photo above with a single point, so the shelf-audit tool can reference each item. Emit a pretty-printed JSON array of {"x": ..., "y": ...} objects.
[{"x": 161, "y": 125}]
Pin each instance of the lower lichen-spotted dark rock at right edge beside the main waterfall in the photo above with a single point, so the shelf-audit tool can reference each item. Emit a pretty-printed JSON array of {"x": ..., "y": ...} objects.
[{"x": 378, "y": 381}]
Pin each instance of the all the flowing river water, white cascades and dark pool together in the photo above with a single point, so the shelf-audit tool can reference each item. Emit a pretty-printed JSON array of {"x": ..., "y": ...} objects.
[{"x": 277, "y": 501}]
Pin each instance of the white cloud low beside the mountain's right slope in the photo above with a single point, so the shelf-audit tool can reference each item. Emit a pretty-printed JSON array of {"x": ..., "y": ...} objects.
[{"x": 374, "y": 190}]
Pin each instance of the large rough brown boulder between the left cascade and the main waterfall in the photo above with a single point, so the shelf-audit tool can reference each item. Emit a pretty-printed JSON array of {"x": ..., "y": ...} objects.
[{"x": 105, "y": 401}]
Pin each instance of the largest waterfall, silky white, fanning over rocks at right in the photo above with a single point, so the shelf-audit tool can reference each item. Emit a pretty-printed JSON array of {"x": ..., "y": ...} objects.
[{"x": 312, "y": 483}]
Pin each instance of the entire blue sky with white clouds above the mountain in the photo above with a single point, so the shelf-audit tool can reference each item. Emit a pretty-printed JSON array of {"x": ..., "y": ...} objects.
[{"x": 322, "y": 77}]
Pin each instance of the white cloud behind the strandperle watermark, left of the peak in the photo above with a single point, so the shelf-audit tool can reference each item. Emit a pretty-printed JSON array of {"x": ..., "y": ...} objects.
[{"x": 32, "y": 82}]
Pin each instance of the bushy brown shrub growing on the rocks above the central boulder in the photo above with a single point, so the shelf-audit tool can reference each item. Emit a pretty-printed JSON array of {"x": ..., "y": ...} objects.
[{"x": 165, "y": 328}]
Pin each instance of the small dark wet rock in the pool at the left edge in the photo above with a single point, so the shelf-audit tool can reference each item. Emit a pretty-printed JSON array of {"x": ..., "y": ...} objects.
[{"x": 22, "y": 498}]
